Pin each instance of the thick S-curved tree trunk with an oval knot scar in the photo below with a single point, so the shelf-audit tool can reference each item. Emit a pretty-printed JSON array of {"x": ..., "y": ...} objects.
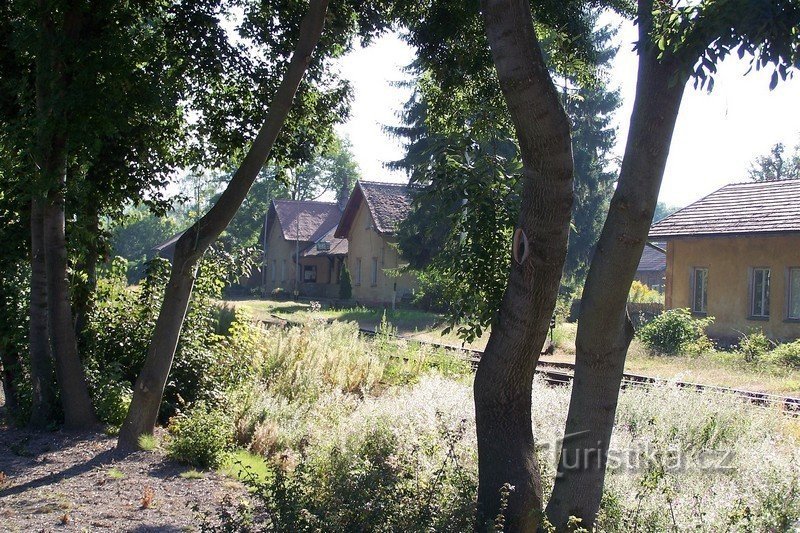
[{"x": 502, "y": 388}]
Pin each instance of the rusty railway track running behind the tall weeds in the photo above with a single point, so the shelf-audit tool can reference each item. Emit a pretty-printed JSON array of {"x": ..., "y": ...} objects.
[{"x": 561, "y": 373}]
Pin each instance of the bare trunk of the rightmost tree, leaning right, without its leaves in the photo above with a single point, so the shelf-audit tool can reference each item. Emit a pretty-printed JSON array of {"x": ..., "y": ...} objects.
[{"x": 604, "y": 330}]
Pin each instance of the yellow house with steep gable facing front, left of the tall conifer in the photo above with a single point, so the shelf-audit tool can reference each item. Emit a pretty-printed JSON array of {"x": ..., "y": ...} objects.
[{"x": 369, "y": 223}]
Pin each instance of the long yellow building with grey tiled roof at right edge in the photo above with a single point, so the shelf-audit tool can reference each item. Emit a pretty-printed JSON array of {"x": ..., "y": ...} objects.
[{"x": 735, "y": 255}]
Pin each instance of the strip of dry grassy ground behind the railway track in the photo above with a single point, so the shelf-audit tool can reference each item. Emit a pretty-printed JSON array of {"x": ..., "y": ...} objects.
[{"x": 724, "y": 369}]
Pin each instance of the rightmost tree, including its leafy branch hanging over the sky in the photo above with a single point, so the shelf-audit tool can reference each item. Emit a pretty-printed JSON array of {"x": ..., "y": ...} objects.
[{"x": 675, "y": 43}]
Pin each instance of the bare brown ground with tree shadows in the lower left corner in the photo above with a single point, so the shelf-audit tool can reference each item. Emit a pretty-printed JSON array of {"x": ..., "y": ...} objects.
[{"x": 76, "y": 482}]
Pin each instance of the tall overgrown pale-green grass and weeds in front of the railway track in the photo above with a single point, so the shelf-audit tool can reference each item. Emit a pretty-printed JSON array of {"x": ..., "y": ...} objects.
[{"x": 339, "y": 437}]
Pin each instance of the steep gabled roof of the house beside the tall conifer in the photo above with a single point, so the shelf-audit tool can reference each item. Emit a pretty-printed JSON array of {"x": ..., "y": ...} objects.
[{"x": 388, "y": 203}]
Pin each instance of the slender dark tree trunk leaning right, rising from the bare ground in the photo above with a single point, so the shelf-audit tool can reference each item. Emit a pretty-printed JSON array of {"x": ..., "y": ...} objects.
[{"x": 150, "y": 384}]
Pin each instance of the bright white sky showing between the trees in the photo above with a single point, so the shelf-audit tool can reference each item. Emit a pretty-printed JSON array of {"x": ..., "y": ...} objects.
[{"x": 716, "y": 138}]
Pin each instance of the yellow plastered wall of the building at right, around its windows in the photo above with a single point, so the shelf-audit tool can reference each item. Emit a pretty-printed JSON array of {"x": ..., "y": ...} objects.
[{"x": 729, "y": 260}]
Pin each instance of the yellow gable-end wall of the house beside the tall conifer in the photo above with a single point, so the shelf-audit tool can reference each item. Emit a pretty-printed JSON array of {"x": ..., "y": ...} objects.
[{"x": 365, "y": 243}]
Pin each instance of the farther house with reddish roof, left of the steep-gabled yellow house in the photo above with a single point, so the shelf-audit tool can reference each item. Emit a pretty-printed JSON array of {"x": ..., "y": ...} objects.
[{"x": 301, "y": 254}]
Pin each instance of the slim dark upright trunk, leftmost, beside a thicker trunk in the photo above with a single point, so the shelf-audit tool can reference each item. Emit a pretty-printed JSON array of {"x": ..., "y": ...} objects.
[{"x": 40, "y": 357}]
